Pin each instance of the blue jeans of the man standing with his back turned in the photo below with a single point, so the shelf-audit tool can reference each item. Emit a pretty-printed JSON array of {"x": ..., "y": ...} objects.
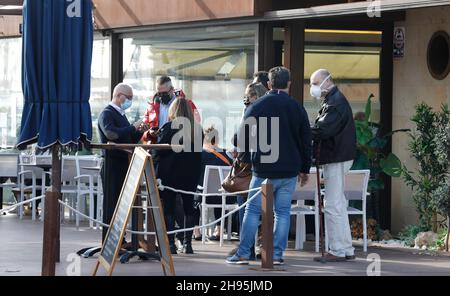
[{"x": 283, "y": 190}]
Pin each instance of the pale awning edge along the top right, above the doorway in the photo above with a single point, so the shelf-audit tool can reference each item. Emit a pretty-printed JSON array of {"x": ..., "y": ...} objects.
[{"x": 356, "y": 8}]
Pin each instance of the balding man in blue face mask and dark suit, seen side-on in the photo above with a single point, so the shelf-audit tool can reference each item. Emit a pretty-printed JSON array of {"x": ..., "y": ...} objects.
[{"x": 114, "y": 126}]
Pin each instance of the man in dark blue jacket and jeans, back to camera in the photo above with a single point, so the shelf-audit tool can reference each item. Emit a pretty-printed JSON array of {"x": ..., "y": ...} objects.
[{"x": 277, "y": 132}]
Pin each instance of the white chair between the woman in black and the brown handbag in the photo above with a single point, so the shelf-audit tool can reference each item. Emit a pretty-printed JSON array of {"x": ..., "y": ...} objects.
[{"x": 212, "y": 183}]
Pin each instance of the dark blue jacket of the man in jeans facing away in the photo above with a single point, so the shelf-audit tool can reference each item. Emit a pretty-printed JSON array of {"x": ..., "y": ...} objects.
[{"x": 294, "y": 136}]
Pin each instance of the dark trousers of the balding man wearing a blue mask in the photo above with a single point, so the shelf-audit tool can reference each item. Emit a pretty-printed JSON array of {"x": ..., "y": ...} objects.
[{"x": 113, "y": 173}]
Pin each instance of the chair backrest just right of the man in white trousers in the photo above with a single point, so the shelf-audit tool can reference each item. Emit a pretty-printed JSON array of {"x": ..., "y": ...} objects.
[{"x": 356, "y": 183}]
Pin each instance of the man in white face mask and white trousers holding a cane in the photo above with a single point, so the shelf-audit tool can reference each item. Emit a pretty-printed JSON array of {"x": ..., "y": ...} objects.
[{"x": 335, "y": 132}]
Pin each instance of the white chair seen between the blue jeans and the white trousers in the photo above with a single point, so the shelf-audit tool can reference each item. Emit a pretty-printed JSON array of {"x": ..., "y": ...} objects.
[{"x": 300, "y": 210}]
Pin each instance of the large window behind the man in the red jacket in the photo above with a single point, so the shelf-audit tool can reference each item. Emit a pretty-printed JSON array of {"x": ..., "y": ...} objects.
[{"x": 212, "y": 65}]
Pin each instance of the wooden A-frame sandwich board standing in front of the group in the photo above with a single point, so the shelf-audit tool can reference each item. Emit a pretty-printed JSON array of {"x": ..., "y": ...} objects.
[{"x": 141, "y": 165}]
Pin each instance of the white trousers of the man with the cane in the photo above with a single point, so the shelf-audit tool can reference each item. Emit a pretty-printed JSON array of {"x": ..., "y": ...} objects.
[{"x": 336, "y": 215}]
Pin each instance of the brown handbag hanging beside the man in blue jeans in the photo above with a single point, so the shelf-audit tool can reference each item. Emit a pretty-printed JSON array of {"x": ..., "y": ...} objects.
[{"x": 239, "y": 177}]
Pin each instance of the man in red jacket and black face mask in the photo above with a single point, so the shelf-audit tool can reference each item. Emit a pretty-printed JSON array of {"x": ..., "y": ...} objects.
[{"x": 157, "y": 111}]
